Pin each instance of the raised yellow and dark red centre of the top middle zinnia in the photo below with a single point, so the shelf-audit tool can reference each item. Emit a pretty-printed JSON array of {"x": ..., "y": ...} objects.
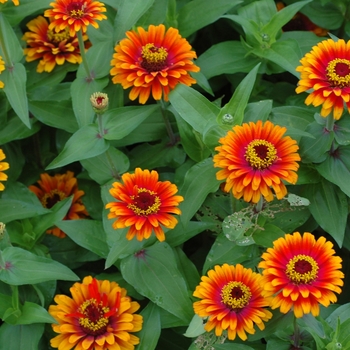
[{"x": 153, "y": 58}]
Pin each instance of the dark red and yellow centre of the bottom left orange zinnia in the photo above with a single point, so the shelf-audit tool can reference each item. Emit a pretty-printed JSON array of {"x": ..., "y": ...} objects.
[{"x": 93, "y": 319}]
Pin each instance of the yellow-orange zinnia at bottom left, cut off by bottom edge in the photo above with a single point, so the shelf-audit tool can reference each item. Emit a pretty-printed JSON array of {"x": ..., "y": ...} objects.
[{"x": 99, "y": 316}]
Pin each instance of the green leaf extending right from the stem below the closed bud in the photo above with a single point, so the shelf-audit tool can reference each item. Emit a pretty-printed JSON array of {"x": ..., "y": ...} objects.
[{"x": 120, "y": 122}]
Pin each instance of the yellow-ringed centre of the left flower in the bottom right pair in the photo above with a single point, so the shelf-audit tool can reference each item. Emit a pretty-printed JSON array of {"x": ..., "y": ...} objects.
[{"x": 235, "y": 295}]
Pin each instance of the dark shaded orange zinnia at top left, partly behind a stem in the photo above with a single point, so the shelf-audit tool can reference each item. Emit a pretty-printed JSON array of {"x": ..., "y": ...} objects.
[{"x": 50, "y": 47}]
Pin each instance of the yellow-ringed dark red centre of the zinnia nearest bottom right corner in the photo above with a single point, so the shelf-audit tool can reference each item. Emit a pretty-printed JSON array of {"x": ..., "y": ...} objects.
[{"x": 302, "y": 269}]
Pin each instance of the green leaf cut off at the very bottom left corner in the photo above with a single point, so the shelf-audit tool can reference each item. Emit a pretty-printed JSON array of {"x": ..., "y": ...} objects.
[{"x": 21, "y": 337}]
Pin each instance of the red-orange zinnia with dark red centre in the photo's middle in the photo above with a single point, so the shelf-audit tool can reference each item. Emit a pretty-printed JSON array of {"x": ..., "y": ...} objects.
[{"x": 144, "y": 204}]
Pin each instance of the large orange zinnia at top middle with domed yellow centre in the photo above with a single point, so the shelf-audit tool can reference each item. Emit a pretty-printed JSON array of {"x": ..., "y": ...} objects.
[{"x": 153, "y": 61}]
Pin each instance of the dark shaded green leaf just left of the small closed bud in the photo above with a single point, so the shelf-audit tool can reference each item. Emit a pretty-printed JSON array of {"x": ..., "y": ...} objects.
[{"x": 61, "y": 117}]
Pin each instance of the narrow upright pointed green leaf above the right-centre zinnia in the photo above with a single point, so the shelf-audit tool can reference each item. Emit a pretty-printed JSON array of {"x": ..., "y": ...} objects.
[{"x": 238, "y": 102}]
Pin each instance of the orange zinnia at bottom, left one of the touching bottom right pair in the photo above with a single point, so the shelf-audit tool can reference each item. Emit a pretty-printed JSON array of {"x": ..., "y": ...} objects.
[{"x": 231, "y": 298}]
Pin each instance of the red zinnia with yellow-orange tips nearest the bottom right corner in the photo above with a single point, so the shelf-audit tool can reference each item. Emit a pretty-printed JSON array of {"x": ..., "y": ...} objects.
[{"x": 301, "y": 273}]
